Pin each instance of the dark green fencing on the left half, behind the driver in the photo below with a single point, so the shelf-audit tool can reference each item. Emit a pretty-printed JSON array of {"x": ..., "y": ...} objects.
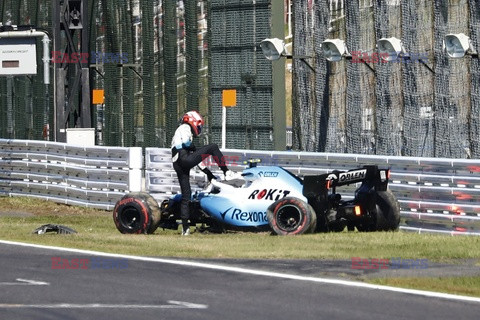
[{"x": 154, "y": 61}]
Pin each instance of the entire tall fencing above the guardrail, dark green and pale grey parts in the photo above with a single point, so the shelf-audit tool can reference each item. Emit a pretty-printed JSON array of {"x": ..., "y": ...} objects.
[{"x": 181, "y": 55}]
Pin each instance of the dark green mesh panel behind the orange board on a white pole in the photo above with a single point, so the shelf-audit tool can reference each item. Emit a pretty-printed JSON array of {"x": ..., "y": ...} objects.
[{"x": 236, "y": 63}]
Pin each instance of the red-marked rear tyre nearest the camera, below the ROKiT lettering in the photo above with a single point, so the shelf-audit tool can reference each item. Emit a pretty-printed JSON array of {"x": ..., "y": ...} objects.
[{"x": 291, "y": 216}]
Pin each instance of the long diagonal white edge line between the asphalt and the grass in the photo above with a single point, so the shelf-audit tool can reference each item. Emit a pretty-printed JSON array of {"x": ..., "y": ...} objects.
[{"x": 348, "y": 283}]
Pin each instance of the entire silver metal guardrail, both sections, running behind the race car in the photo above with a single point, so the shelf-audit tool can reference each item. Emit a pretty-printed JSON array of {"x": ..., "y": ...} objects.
[{"x": 435, "y": 195}]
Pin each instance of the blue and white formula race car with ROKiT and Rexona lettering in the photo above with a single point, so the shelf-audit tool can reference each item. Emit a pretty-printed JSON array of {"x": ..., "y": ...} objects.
[{"x": 272, "y": 198}]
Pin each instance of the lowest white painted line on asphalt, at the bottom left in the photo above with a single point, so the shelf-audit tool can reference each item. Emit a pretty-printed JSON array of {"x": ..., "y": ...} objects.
[{"x": 171, "y": 305}]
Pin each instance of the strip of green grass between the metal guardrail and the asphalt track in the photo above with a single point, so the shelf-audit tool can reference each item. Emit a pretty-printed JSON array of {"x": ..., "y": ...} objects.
[{"x": 96, "y": 231}]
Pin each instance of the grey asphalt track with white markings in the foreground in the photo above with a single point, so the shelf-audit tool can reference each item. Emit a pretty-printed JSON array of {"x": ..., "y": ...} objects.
[{"x": 168, "y": 289}]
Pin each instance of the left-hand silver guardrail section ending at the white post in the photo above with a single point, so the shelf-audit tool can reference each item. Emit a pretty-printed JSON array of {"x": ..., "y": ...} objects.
[{"x": 88, "y": 176}]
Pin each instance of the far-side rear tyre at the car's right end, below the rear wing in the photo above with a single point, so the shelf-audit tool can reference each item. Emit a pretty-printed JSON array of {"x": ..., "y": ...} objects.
[{"x": 388, "y": 211}]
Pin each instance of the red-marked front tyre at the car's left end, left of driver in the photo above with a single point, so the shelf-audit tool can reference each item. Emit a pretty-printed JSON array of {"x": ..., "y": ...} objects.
[{"x": 137, "y": 213}]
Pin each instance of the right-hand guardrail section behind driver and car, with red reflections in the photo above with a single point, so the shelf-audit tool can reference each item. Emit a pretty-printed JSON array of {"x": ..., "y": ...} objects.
[{"x": 435, "y": 194}]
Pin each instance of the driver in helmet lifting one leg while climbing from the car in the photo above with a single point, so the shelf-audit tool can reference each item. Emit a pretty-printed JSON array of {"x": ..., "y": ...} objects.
[{"x": 185, "y": 156}]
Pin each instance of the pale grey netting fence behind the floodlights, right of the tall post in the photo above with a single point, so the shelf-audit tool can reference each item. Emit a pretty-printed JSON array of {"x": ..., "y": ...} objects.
[{"x": 398, "y": 108}]
